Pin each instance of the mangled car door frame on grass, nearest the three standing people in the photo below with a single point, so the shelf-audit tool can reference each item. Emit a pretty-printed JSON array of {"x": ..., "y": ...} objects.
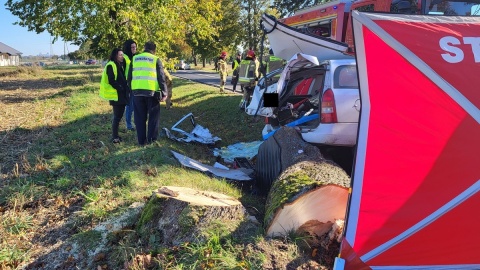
[{"x": 198, "y": 134}]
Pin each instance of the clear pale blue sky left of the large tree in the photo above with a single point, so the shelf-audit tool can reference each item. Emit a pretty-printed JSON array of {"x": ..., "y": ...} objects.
[{"x": 28, "y": 43}]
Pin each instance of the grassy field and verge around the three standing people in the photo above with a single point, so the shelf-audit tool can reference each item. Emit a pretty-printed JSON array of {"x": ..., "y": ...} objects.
[{"x": 61, "y": 175}]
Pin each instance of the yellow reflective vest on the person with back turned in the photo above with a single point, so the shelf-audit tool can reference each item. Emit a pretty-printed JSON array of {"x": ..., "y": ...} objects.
[{"x": 144, "y": 75}]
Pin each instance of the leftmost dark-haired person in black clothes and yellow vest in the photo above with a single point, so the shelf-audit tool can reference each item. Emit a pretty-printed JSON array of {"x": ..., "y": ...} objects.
[{"x": 114, "y": 88}]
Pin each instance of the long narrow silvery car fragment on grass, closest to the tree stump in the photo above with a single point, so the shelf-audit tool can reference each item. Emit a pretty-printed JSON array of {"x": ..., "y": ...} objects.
[{"x": 234, "y": 174}]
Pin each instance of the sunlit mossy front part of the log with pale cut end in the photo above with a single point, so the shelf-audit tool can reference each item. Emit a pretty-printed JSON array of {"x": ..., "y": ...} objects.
[{"x": 308, "y": 194}]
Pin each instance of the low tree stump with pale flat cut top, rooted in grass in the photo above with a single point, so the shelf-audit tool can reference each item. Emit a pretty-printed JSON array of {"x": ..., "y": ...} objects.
[{"x": 175, "y": 215}]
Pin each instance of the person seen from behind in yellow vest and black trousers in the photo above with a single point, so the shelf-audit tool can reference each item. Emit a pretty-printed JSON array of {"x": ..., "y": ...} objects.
[{"x": 149, "y": 88}]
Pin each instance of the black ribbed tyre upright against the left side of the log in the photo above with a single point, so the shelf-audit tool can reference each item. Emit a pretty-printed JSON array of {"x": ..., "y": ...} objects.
[{"x": 268, "y": 165}]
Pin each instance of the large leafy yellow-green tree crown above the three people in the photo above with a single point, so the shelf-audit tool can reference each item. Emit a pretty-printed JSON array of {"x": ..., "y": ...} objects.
[{"x": 108, "y": 23}]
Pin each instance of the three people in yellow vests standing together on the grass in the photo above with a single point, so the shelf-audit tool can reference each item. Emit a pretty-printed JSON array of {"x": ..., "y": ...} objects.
[{"x": 136, "y": 83}]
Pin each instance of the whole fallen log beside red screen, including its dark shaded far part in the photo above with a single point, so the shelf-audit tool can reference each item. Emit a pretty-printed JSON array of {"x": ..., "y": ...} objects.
[{"x": 309, "y": 192}]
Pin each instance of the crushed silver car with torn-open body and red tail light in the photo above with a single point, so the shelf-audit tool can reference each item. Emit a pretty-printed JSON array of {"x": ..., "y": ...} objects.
[{"x": 309, "y": 88}]
